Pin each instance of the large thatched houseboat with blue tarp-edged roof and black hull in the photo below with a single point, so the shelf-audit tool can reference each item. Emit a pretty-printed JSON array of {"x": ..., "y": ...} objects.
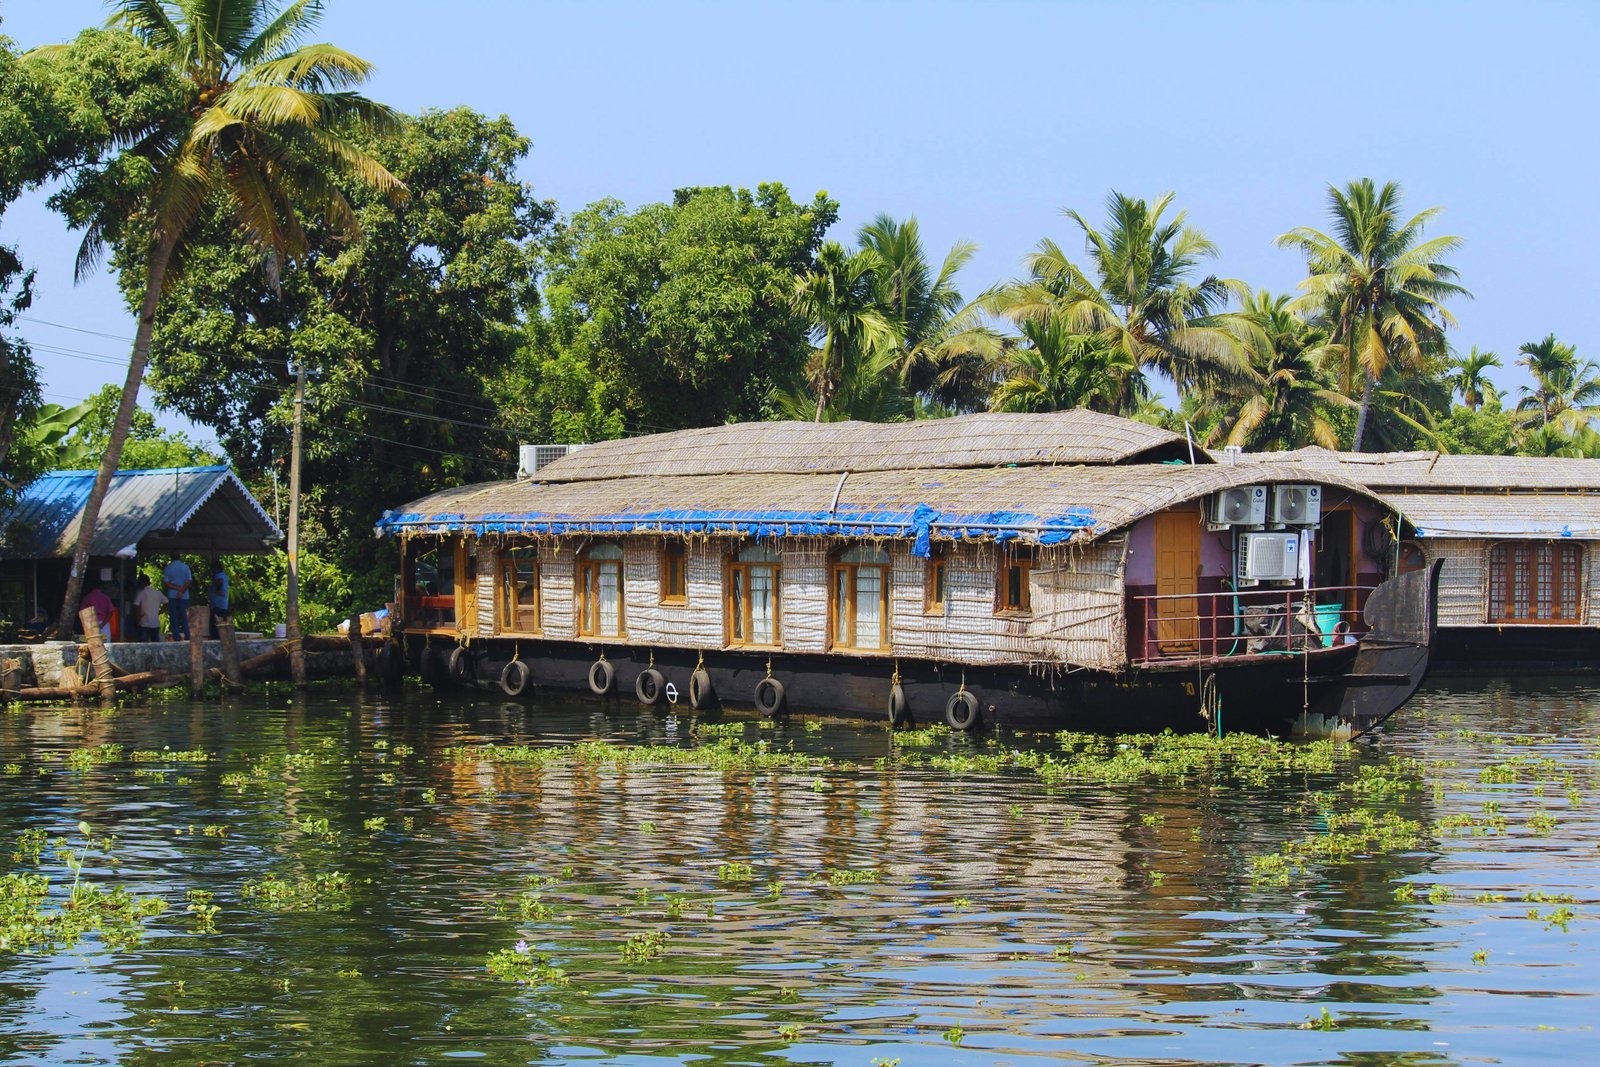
[{"x": 1065, "y": 570}]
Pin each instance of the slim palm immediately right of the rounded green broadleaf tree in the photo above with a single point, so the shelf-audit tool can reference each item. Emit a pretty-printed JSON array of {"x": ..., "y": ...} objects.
[{"x": 839, "y": 300}]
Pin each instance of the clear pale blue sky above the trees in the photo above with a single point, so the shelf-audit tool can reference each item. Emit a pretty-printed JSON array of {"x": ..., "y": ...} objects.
[{"x": 986, "y": 119}]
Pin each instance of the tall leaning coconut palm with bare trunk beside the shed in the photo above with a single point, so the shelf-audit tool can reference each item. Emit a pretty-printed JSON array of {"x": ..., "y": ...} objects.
[{"x": 270, "y": 127}]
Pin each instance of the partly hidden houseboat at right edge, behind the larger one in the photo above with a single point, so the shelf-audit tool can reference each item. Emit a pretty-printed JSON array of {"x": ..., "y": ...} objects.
[{"x": 1518, "y": 540}]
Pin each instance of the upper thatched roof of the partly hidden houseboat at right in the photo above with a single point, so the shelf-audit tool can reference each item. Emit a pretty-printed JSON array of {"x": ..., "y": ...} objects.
[{"x": 1438, "y": 471}]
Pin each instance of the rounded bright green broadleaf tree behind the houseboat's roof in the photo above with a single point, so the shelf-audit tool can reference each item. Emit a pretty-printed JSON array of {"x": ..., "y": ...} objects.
[{"x": 673, "y": 316}]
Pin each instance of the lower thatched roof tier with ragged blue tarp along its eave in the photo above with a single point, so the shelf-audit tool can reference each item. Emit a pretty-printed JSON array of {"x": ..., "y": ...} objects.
[{"x": 1034, "y": 505}]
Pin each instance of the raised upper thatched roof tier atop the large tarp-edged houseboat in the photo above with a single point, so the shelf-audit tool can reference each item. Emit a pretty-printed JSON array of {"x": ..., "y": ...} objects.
[{"x": 969, "y": 441}]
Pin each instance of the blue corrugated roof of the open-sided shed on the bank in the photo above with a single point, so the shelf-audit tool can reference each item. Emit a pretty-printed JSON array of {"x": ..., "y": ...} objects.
[{"x": 175, "y": 510}]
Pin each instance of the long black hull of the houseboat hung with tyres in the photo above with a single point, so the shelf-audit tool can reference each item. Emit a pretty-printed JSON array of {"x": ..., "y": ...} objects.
[{"x": 1271, "y": 693}]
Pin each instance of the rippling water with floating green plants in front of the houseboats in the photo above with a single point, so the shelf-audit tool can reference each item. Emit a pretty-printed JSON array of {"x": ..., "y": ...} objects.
[{"x": 1010, "y": 921}]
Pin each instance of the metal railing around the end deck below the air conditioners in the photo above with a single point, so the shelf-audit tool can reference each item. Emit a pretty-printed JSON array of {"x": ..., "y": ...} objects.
[{"x": 1249, "y": 621}]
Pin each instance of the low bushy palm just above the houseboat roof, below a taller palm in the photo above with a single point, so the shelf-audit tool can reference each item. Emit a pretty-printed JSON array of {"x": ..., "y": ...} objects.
[{"x": 1057, "y": 369}]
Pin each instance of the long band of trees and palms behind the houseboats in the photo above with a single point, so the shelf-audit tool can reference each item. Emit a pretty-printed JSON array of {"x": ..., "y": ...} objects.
[{"x": 444, "y": 313}]
